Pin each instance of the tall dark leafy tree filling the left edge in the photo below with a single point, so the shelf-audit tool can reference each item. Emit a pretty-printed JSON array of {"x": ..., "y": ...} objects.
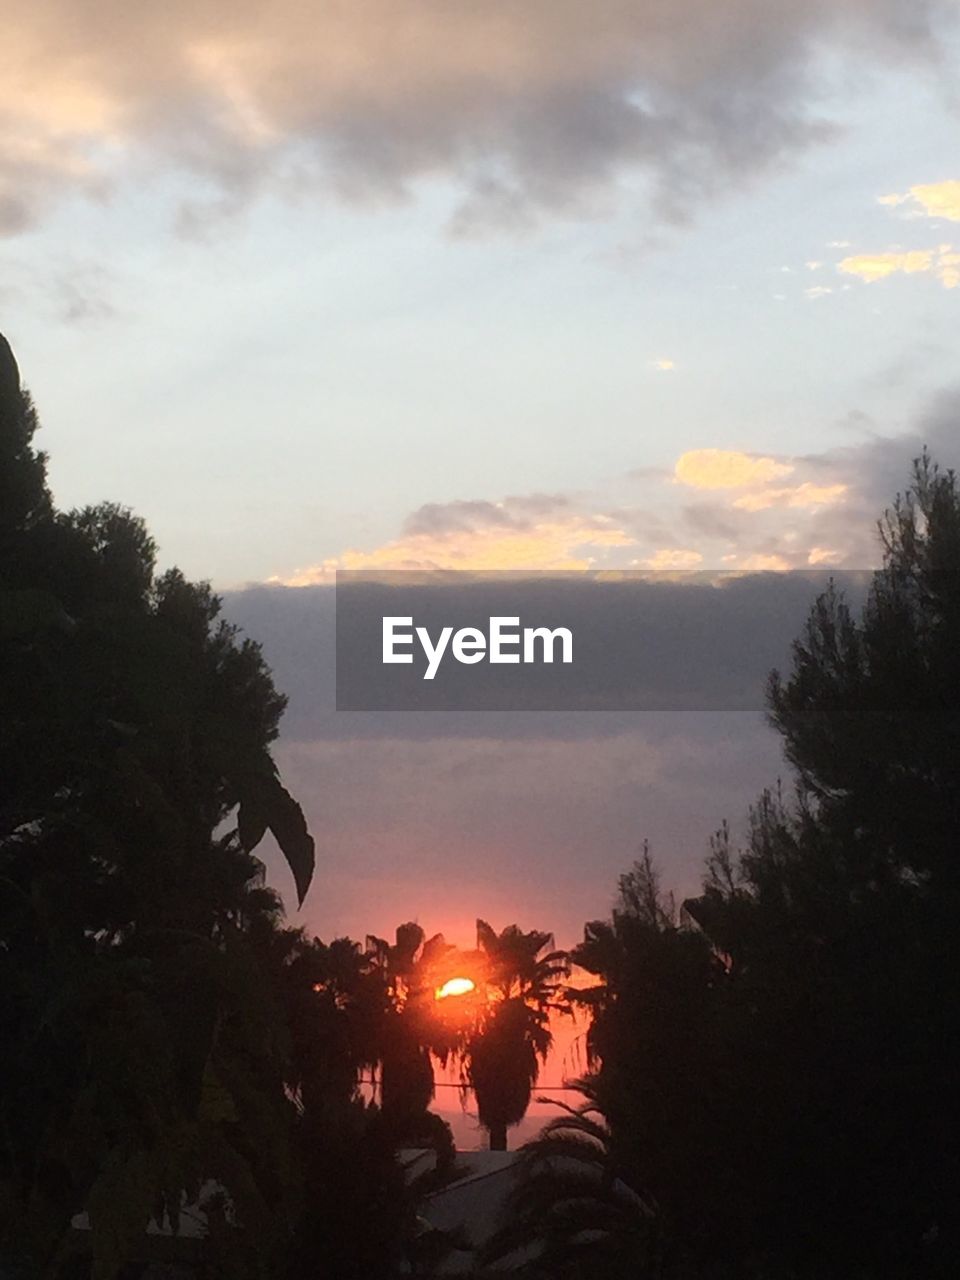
[{"x": 143, "y": 1053}]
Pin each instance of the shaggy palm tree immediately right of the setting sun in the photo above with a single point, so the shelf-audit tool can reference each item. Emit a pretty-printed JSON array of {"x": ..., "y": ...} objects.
[{"x": 513, "y": 1037}]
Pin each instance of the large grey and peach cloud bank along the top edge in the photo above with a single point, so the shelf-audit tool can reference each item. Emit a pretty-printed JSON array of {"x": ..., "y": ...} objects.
[{"x": 528, "y": 109}]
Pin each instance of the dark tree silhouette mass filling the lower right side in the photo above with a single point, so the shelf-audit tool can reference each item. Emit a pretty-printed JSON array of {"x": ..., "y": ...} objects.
[{"x": 776, "y": 1062}]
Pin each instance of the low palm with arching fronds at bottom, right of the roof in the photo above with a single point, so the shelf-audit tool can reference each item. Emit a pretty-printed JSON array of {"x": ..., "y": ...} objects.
[{"x": 573, "y": 1215}]
